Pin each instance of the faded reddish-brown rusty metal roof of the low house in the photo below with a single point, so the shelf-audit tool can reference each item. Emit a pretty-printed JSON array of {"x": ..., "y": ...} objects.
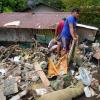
[{"x": 36, "y": 21}]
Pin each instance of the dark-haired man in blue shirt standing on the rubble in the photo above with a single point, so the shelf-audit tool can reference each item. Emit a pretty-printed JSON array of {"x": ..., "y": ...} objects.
[{"x": 69, "y": 30}]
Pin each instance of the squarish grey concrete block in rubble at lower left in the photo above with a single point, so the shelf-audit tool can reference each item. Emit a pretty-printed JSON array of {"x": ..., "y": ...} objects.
[{"x": 10, "y": 86}]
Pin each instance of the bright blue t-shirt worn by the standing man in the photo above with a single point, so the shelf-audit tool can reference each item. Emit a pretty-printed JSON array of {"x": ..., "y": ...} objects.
[{"x": 66, "y": 30}]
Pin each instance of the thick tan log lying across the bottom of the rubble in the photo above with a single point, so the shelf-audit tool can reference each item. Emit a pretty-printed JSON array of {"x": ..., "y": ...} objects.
[{"x": 65, "y": 94}]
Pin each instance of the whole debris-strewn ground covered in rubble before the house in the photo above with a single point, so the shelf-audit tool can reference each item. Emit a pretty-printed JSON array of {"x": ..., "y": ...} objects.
[{"x": 24, "y": 74}]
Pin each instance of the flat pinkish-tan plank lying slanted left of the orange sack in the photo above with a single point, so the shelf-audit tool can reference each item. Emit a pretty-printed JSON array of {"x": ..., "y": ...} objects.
[{"x": 42, "y": 75}]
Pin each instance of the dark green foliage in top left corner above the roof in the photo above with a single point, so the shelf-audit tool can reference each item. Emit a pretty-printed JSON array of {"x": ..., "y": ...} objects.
[{"x": 12, "y": 5}]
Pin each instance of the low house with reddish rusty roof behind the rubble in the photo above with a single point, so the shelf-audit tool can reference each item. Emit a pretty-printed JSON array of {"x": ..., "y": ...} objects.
[{"x": 24, "y": 26}]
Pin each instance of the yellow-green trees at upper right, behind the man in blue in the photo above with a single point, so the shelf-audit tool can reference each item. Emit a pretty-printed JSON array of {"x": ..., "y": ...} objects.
[{"x": 90, "y": 10}]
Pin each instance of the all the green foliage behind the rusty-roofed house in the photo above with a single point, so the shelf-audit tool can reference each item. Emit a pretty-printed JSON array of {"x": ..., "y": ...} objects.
[{"x": 90, "y": 9}]
